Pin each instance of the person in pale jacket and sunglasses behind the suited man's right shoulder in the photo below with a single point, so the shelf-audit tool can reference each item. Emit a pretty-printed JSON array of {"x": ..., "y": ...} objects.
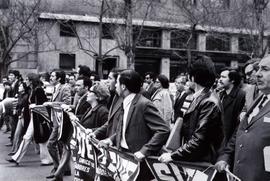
[{"x": 162, "y": 98}]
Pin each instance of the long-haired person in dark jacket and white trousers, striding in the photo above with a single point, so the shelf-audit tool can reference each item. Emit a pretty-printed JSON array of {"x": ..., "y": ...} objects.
[{"x": 37, "y": 97}]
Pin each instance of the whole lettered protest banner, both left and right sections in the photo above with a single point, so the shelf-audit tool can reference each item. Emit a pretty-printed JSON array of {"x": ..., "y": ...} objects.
[{"x": 90, "y": 160}]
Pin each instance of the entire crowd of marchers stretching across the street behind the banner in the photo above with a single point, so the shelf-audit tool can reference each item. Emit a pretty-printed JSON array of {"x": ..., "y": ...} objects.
[{"x": 224, "y": 118}]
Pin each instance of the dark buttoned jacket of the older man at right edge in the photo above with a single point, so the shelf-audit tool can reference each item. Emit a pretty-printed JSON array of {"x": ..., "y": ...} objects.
[{"x": 245, "y": 150}]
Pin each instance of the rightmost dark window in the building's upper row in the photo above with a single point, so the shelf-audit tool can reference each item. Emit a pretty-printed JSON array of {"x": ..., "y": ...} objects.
[{"x": 246, "y": 43}]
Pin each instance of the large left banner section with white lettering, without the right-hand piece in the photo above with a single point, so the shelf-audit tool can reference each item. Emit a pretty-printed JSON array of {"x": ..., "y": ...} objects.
[{"x": 92, "y": 161}]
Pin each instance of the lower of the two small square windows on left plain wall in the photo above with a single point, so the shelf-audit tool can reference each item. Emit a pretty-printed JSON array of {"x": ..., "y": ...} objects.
[{"x": 67, "y": 61}]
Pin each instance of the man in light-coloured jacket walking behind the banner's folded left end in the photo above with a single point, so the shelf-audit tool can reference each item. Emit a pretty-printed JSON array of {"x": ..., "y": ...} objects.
[{"x": 61, "y": 95}]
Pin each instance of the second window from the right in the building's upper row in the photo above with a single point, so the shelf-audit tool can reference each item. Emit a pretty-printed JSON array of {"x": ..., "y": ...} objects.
[{"x": 218, "y": 42}]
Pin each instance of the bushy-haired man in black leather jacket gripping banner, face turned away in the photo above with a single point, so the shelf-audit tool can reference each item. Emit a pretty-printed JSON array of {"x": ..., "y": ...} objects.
[{"x": 202, "y": 131}]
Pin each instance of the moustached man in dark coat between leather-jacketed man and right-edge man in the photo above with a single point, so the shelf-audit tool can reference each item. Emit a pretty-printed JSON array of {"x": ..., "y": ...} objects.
[{"x": 232, "y": 98}]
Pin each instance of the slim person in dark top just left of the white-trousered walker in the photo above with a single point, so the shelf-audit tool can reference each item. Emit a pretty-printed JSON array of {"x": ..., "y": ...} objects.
[{"x": 23, "y": 113}]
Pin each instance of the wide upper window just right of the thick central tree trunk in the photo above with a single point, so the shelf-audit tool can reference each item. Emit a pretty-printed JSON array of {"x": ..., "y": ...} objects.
[{"x": 149, "y": 37}]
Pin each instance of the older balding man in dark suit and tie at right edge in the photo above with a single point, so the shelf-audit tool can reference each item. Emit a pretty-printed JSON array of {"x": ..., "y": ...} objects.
[{"x": 248, "y": 151}]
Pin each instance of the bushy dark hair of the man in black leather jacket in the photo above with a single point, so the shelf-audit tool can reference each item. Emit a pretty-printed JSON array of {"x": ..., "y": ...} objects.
[{"x": 203, "y": 70}]
